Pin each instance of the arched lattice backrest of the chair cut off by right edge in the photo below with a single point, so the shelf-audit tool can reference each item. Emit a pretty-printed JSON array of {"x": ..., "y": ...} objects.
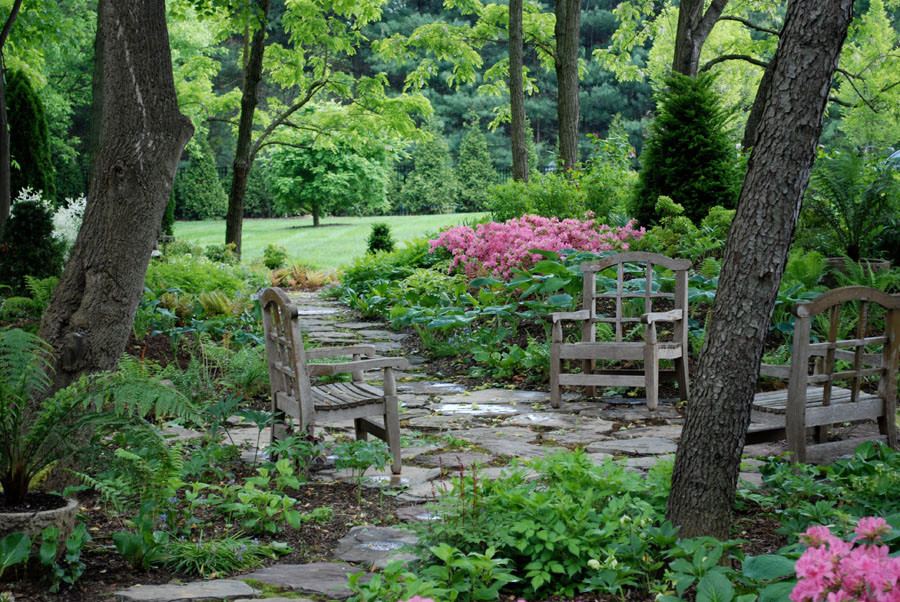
[{"x": 827, "y": 352}]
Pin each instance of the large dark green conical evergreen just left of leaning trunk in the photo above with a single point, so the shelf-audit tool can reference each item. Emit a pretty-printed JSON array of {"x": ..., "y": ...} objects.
[{"x": 688, "y": 156}]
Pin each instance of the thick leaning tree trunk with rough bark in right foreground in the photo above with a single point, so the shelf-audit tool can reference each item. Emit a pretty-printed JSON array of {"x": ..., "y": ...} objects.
[{"x": 708, "y": 458}]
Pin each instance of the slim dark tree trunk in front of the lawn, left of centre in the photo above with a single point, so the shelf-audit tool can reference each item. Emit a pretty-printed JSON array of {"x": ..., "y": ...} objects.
[{"x": 242, "y": 155}]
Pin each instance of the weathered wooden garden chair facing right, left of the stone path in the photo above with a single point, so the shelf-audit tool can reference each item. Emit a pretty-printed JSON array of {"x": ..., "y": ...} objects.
[{"x": 294, "y": 396}]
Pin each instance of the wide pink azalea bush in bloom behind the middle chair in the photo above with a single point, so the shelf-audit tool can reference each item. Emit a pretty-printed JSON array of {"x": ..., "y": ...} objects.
[{"x": 499, "y": 247}]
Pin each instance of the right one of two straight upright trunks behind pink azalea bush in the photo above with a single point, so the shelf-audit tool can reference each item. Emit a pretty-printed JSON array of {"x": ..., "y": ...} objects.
[{"x": 568, "y": 108}]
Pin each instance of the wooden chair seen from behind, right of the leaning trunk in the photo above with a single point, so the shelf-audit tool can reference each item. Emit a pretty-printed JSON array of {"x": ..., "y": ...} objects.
[{"x": 812, "y": 399}]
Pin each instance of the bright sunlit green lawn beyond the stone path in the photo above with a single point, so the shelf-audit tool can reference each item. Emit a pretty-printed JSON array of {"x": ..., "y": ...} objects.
[{"x": 336, "y": 242}]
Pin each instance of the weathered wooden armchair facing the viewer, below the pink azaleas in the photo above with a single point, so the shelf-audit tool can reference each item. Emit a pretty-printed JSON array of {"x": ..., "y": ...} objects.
[{"x": 650, "y": 350}]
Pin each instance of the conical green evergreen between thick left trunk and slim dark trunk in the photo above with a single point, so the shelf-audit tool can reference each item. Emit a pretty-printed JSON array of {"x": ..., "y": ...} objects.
[{"x": 198, "y": 192}]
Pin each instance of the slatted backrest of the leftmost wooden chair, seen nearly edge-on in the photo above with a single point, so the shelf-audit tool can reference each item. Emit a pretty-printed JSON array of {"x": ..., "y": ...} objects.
[{"x": 288, "y": 377}]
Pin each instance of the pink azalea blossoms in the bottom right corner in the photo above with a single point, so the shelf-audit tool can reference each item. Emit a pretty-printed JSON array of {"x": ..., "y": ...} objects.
[{"x": 833, "y": 570}]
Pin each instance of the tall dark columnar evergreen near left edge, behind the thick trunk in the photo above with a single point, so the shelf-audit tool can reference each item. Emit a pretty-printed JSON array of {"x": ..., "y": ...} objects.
[{"x": 29, "y": 138}]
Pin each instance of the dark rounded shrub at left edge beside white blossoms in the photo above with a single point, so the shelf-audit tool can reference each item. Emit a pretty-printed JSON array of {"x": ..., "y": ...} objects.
[{"x": 28, "y": 246}]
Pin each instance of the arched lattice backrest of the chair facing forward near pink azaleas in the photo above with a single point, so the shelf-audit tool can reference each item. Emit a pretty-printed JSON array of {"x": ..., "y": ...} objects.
[{"x": 591, "y": 296}]
